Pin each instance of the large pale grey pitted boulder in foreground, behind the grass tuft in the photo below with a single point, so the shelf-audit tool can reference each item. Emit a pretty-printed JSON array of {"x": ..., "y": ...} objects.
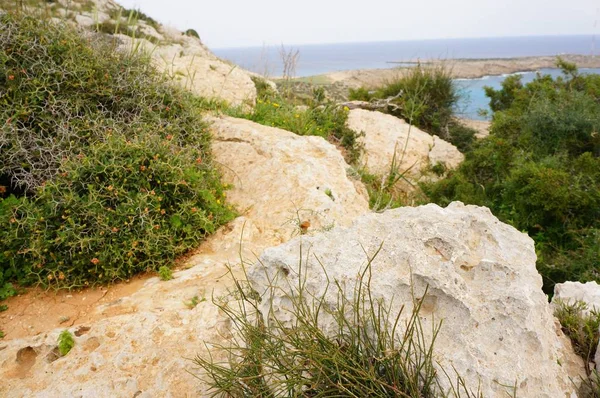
[{"x": 498, "y": 328}]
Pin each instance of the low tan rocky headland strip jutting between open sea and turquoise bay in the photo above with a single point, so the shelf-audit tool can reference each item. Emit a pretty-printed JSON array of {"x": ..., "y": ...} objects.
[{"x": 461, "y": 69}]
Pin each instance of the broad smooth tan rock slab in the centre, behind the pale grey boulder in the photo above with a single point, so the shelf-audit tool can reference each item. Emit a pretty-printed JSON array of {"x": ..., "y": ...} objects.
[{"x": 281, "y": 180}]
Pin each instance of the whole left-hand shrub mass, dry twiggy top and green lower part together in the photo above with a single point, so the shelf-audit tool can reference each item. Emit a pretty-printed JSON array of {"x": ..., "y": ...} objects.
[{"x": 106, "y": 169}]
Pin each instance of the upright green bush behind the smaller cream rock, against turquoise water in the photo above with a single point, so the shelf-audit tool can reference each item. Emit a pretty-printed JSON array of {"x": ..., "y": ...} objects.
[{"x": 425, "y": 97}]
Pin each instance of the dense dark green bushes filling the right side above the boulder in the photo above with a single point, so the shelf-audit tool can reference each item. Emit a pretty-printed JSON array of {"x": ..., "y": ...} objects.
[{"x": 540, "y": 170}]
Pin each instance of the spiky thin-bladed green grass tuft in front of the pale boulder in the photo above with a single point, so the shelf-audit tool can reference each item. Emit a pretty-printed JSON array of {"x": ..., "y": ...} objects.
[{"x": 369, "y": 351}]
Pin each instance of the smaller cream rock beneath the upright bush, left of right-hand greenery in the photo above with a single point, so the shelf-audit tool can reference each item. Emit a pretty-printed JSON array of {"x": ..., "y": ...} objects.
[{"x": 386, "y": 135}]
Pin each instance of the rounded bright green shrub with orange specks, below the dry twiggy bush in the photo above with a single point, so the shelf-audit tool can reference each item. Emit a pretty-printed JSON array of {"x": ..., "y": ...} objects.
[{"x": 125, "y": 207}]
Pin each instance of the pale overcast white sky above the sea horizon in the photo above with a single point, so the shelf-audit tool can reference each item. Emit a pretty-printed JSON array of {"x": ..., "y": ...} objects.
[{"x": 245, "y": 23}]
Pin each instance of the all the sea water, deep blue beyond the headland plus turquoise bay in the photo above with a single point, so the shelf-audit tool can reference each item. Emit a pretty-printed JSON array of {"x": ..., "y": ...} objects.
[{"x": 324, "y": 58}]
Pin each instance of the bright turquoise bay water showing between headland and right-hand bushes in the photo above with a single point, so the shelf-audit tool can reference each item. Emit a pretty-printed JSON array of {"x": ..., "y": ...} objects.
[{"x": 473, "y": 95}]
